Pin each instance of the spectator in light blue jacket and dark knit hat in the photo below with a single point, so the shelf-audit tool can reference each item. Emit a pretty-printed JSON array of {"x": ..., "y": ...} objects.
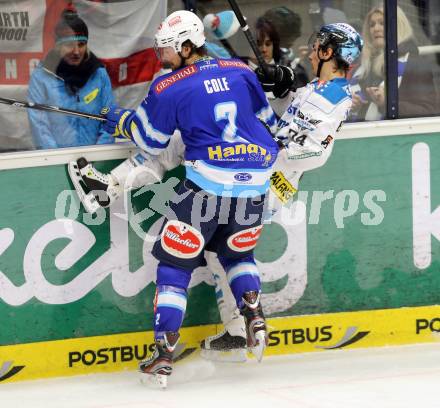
[{"x": 72, "y": 77}]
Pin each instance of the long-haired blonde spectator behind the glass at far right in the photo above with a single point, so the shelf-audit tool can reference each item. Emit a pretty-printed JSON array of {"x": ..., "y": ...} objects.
[{"x": 417, "y": 95}]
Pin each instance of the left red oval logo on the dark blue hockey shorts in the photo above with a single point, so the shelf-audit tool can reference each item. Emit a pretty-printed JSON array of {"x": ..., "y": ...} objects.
[{"x": 181, "y": 240}]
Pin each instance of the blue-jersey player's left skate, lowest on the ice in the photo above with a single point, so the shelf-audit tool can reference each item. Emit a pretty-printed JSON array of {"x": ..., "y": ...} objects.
[{"x": 156, "y": 369}]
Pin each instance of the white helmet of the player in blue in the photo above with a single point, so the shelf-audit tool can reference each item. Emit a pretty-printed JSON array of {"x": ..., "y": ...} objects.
[{"x": 179, "y": 27}]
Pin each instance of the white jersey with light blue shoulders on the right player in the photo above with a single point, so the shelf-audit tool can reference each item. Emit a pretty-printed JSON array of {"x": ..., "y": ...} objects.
[{"x": 309, "y": 124}]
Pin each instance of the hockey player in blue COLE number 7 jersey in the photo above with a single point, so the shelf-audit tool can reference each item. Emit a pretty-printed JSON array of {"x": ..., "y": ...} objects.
[{"x": 218, "y": 106}]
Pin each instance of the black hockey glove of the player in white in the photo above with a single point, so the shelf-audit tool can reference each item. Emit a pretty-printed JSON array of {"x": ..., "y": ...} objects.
[{"x": 277, "y": 79}]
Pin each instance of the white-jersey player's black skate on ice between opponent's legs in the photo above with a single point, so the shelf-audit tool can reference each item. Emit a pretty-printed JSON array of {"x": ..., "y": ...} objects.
[{"x": 227, "y": 346}]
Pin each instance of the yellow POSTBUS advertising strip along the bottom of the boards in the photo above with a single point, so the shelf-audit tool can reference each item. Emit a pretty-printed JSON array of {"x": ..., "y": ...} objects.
[{"x": 287, "y": 335}]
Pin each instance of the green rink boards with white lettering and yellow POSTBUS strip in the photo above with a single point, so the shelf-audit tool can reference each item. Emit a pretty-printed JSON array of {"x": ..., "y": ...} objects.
[{"x": 360, "y": 269}]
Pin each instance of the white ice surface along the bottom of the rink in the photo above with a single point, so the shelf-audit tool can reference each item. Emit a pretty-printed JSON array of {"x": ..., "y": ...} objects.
[{"x": 397, "y": 377}]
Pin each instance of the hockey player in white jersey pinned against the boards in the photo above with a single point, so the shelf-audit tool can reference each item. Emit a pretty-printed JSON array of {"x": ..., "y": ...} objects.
[{"x": 308, "y": 129}]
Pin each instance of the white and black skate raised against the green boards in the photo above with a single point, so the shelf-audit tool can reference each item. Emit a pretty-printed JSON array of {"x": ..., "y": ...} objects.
[{"x": 94, "y": 188}]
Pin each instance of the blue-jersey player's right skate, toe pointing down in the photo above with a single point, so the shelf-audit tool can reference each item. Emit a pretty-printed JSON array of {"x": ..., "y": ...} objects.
[{"x": 256, "y": 331}]
